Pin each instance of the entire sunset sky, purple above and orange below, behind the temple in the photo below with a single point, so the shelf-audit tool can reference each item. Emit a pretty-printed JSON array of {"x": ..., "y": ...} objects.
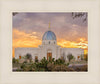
[{"x": 28, "y": 29}]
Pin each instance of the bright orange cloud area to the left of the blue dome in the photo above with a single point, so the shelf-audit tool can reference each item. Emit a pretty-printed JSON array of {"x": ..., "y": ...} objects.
[{"x": 22, "y": 39}]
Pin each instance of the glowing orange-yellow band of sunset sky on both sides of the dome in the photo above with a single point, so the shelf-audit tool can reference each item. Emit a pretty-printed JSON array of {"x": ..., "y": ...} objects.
[{"x": 22, "y": 39}]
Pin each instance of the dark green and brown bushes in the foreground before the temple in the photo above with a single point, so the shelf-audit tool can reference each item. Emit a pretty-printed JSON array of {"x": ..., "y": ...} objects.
[{"x": 45, "y": 65}]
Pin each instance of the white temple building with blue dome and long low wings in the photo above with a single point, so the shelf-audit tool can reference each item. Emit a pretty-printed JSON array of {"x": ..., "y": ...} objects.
[{"x": 49, "y": 48}]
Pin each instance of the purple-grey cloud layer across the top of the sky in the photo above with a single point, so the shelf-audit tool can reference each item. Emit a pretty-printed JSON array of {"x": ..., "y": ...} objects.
[{"x": 39, "y": 21}]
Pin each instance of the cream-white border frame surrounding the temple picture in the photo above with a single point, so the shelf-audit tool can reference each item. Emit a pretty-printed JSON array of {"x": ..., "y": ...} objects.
[{"x": 9, "y": 77}]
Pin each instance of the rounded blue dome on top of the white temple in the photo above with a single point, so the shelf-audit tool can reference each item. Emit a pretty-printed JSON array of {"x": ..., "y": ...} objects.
[{"x": 49, "y": 35}]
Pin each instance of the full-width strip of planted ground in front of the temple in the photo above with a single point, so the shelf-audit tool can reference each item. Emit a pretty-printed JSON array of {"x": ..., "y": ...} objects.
[{"x": 51, "y": 65}]
